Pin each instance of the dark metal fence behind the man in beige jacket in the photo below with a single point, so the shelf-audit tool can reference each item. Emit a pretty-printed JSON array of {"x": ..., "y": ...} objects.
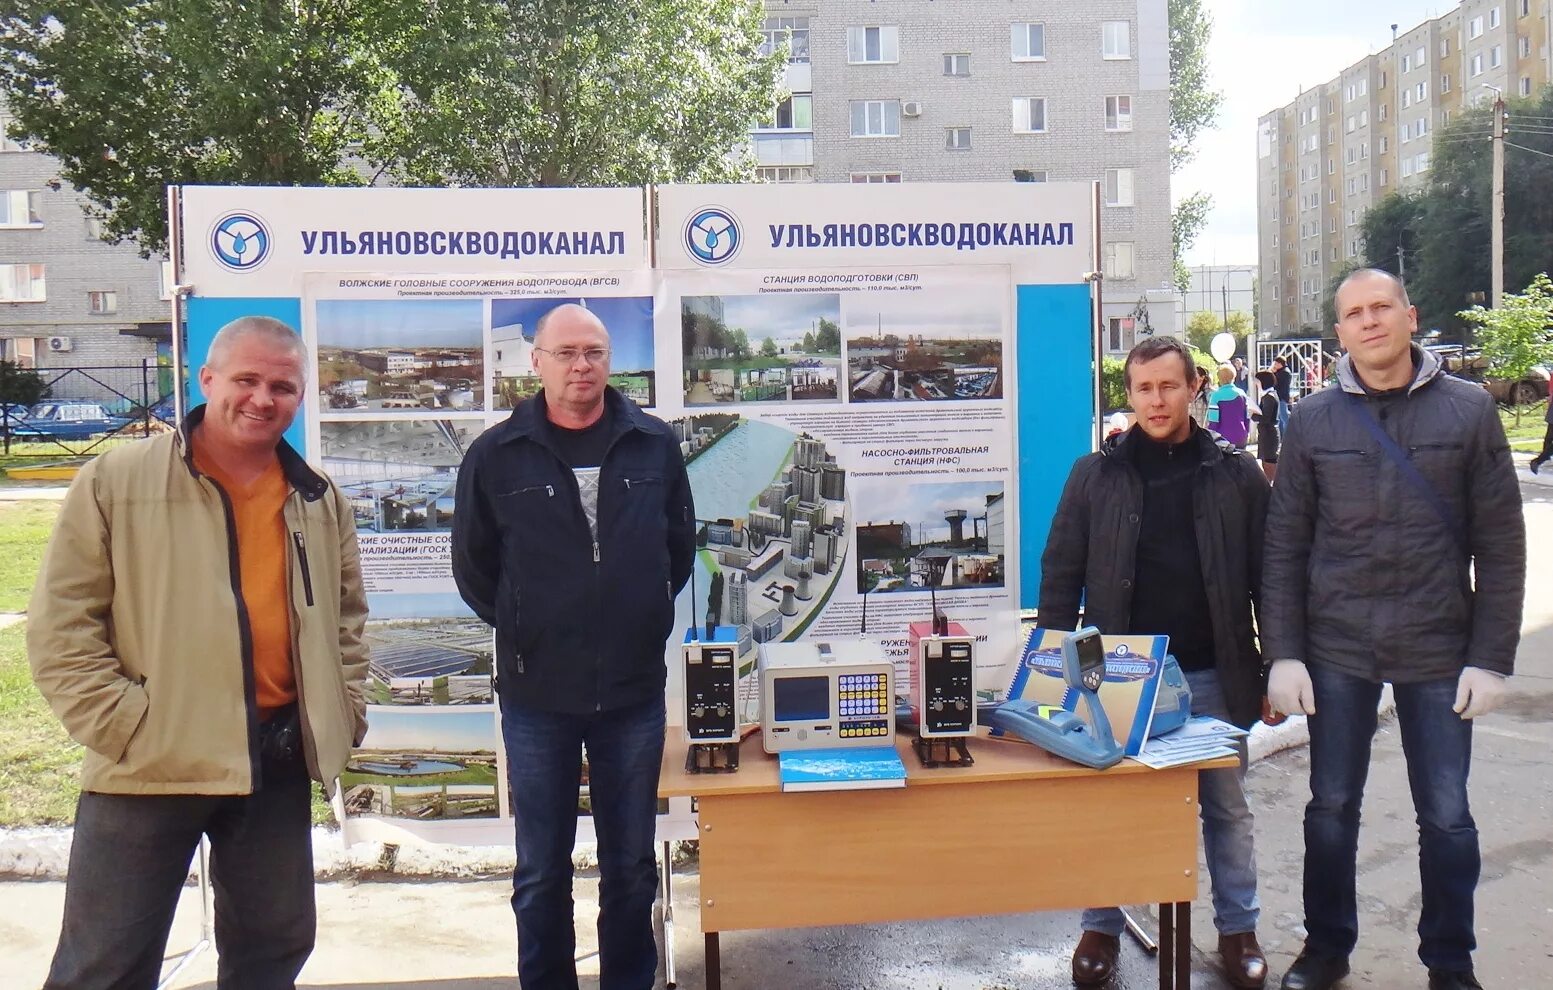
[{"x": 134, "y": 400}]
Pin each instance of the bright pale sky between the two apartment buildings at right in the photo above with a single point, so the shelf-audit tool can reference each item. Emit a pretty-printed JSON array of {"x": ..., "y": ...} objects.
[{"x": 1262, "y": 54}]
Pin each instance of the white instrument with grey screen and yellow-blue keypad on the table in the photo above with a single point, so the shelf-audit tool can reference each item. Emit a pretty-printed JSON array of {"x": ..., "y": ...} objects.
[{"x": 827, "y": 695}]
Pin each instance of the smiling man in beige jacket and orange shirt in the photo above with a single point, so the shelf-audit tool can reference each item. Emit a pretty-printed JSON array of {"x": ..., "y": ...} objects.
[{"x": 198, "y": 629}]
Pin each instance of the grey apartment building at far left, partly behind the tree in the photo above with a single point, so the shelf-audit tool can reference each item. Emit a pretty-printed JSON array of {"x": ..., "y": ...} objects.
[{"x": 68, "y": 298}]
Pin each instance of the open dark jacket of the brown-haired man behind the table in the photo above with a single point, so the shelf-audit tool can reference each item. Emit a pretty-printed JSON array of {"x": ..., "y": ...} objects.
[{"x": 1091, "y": 554}]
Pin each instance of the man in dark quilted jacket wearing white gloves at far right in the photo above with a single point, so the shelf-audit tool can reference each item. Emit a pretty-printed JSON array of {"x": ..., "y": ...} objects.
[{"x": 1397, "y": 562}]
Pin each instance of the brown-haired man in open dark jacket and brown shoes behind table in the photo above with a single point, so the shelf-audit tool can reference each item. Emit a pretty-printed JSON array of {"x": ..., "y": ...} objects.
[{"x": 1162, "y": 532}]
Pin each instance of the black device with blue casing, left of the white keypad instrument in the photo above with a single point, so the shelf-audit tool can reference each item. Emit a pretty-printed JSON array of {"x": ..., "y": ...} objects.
[{"x": 712, "y": 700}]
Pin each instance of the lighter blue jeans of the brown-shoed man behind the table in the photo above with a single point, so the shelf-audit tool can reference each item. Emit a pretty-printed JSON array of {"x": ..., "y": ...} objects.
[{"x": 1228, "y": 832}]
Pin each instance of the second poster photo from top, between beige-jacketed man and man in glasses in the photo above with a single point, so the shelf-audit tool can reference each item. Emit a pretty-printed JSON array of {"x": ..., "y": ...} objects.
[{"x": 400, "y": 475}]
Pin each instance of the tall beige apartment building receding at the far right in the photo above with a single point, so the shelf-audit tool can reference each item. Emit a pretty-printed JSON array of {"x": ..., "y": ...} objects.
[{"x": 1347, "y": 144}]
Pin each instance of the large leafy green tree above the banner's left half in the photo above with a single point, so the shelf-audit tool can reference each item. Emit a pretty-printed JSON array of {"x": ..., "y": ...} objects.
[{"x": 137, "y": 96}]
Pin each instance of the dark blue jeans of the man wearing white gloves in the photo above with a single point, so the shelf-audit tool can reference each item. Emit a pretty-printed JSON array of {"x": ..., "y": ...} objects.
[{"x": 1439, "y": 748}]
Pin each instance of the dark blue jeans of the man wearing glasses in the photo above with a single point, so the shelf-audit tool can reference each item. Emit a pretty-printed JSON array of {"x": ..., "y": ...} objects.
[{"x": 544, "y": 759}]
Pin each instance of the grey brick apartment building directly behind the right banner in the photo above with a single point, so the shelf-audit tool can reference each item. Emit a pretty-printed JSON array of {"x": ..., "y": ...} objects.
[{"x": 945, "y": 91}]
